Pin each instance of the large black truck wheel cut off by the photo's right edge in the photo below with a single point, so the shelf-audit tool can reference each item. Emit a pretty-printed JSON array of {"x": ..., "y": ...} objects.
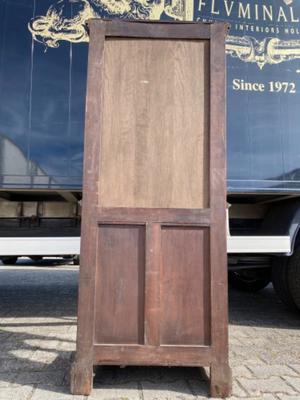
[{"x": 286, "y": 279}]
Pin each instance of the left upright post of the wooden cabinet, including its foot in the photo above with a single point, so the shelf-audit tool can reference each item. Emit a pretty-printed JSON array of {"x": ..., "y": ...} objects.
[{"x": 82, "y": 367}]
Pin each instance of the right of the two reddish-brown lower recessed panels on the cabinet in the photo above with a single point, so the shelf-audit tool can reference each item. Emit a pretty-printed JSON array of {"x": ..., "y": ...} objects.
[{"x": 185, "y": 289}]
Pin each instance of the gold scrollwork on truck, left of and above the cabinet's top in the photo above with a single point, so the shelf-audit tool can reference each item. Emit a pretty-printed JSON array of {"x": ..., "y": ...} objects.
[{"x": 52, "y": 28}]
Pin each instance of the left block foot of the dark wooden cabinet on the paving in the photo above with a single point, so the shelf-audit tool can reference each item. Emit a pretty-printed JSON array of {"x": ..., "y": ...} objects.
[{"x": 81, "y": 377}]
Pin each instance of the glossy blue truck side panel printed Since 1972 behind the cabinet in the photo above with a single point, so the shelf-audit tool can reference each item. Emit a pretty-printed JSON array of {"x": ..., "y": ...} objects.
[{"x": 43, "y": 60}]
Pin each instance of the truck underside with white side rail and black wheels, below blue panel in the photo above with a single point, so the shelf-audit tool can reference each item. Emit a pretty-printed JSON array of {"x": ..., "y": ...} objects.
[{"x": 262, "y": 235}]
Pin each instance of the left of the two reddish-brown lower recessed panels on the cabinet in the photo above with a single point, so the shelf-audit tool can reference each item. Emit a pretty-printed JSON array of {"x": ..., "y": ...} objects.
[{"x": 119, "y": 309}]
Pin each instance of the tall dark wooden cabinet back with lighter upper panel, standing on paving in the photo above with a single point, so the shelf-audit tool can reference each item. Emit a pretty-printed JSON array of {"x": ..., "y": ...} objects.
[{"x": 153, "y": 276}]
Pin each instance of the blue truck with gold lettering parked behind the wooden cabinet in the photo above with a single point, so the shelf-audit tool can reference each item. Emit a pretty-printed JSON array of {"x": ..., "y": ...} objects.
[{"x": 43, "y": 66}]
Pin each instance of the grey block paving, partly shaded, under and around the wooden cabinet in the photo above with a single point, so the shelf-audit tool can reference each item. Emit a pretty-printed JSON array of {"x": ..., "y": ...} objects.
[{"x": 37, "y": 337}]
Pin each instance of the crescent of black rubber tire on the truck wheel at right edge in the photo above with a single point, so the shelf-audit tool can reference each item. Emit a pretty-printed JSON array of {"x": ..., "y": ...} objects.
[{"x": 280, "y": 280}]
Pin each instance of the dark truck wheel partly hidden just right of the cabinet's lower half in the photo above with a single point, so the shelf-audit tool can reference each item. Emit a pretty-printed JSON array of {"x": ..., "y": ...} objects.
[{"x": 249, "y": 280}]
